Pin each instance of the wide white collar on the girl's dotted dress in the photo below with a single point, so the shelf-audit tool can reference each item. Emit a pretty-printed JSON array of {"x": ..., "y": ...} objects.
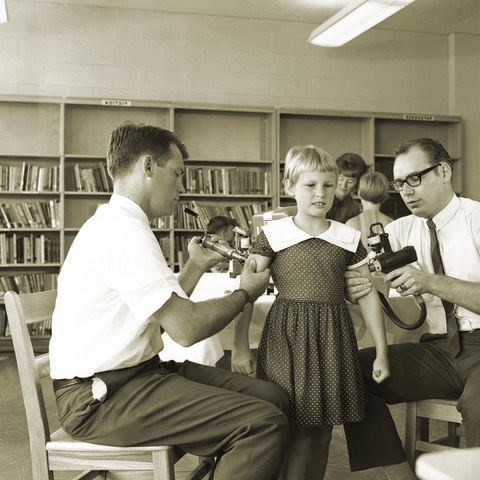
[{"x": 283, "y": 233}]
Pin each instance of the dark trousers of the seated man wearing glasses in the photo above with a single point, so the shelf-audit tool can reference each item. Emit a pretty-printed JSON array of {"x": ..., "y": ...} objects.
[{"x": 418, "y": 371}]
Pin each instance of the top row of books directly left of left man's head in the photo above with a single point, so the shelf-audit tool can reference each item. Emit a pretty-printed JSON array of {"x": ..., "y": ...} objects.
[{"x": 88, "y": 178}]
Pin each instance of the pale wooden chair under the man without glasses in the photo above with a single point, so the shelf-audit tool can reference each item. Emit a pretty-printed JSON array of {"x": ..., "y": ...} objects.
[{"x": 58, "y": 451}]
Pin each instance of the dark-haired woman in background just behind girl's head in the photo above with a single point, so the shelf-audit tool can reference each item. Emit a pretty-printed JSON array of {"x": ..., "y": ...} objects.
[{"x": 351, "y": 167}]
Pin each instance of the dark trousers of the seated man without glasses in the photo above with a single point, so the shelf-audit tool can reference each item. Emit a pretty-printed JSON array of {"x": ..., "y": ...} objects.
[{"x": 203, "y": 410}]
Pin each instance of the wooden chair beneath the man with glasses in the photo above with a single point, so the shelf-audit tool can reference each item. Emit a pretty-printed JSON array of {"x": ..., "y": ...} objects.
[{"x": 417, "y": 431}]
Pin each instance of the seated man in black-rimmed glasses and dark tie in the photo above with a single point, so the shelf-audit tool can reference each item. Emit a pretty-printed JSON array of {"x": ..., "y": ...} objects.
[{"x": 431, "y": 368}]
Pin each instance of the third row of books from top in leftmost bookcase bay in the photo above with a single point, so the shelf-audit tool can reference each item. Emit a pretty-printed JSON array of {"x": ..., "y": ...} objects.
[{"x": 28, "y": 249}]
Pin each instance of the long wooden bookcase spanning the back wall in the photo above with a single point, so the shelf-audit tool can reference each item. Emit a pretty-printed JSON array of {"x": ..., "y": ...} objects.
[{"x": 236, "y": 162}]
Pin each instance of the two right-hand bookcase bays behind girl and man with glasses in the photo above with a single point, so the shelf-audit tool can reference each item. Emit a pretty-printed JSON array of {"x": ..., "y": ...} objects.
[{"x": 374, "y": 136}]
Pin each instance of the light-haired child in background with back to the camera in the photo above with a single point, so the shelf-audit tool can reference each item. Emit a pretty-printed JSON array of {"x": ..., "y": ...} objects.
[{"x": 373, "y": 191}]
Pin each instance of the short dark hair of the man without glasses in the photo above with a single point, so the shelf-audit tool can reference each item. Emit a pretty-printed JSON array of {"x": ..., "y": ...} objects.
[{"x": 130, "y": 141}]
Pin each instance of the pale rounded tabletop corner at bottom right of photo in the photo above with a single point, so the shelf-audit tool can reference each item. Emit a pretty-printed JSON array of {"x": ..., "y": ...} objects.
[{"x": 457, "y": 464}]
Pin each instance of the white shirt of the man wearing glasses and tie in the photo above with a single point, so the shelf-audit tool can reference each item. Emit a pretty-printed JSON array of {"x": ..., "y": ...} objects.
[{"x": 458, "y": 232}]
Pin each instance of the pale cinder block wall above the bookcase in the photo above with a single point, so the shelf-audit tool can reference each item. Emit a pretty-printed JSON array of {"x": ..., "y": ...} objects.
[{"x": 66, "y": 50}]
